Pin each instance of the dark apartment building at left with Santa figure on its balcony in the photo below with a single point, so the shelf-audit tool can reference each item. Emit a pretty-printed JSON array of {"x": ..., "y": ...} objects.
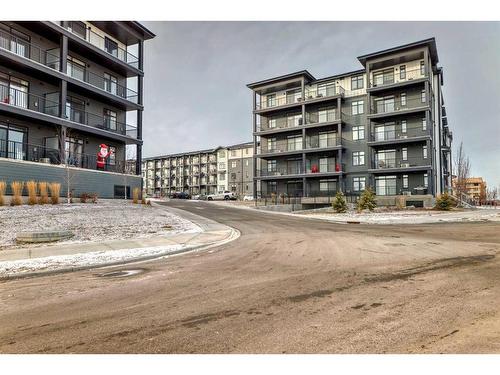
[{"x": 68, "y": 90}]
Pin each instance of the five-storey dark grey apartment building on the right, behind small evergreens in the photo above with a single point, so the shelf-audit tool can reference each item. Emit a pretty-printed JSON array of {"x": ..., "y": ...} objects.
[{"x": 383, "y": 126}]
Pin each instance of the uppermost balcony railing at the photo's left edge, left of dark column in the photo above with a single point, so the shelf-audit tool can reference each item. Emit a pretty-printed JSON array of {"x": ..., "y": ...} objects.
[{"x": 27, "y": 50}]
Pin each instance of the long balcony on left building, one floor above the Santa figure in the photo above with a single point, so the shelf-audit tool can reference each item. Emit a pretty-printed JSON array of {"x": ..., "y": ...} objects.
[{"x": 24, "y": 100}]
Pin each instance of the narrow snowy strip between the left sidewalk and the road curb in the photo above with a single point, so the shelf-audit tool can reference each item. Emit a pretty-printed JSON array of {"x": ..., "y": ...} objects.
[{"x": 83, "y": 260}]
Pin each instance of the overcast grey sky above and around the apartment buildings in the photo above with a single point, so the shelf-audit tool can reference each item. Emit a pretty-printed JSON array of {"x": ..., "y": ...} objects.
[{"x": 196, "y": 75}]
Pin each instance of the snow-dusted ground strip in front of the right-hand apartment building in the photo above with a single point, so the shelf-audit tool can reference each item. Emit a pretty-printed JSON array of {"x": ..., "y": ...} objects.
[{"x": 405, "y": 216}]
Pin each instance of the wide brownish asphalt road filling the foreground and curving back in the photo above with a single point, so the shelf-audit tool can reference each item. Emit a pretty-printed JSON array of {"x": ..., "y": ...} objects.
[{"x": 287, "y": 285}]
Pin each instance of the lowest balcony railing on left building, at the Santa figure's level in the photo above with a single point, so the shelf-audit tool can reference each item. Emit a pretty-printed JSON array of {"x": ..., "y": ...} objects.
[{"x": 41, "y": 154}]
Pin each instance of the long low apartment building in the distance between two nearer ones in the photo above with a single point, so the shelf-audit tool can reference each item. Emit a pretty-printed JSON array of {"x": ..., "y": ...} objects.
[{"x": 204, "y": 172}]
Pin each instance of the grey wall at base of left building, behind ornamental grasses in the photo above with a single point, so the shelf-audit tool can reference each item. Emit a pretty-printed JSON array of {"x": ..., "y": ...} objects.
[{"x": 82, "y": 180}]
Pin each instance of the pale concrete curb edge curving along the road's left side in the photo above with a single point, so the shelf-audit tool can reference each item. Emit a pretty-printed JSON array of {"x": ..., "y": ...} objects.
[{"x": 233, "y": 235}]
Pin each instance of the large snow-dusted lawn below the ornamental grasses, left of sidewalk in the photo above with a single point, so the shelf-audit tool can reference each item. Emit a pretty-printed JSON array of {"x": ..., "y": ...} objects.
[{"x": 105, "y": 220}]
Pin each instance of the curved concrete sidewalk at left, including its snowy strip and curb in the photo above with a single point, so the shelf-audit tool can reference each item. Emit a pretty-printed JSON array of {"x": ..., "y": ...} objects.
[{"x": 49, "y": 259}]
